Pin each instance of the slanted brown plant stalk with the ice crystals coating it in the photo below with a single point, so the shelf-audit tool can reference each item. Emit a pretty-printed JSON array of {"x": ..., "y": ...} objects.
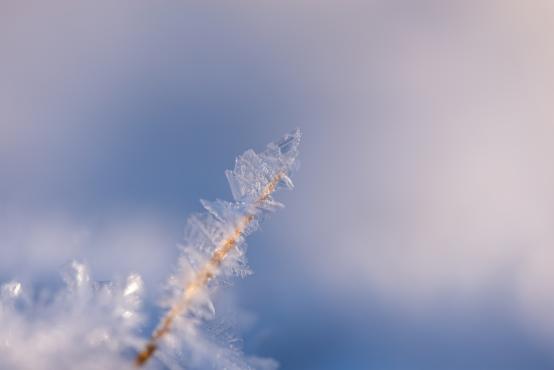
[{"x": 214, "y": 240}]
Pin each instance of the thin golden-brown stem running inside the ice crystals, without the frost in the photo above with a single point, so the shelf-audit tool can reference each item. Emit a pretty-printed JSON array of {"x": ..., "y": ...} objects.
[{"x": 201, "y": 278}]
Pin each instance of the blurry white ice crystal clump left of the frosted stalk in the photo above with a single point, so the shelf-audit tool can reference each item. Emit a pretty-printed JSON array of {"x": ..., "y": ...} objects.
[{"x": 86, "y": 325}]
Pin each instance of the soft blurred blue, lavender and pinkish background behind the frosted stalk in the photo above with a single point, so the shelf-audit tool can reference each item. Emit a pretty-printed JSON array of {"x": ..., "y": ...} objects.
[{"x": 420, "y": 234}]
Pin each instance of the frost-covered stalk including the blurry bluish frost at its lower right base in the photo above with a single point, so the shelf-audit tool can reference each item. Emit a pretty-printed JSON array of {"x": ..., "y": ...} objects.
[{"x": 214, "y": 250}]
